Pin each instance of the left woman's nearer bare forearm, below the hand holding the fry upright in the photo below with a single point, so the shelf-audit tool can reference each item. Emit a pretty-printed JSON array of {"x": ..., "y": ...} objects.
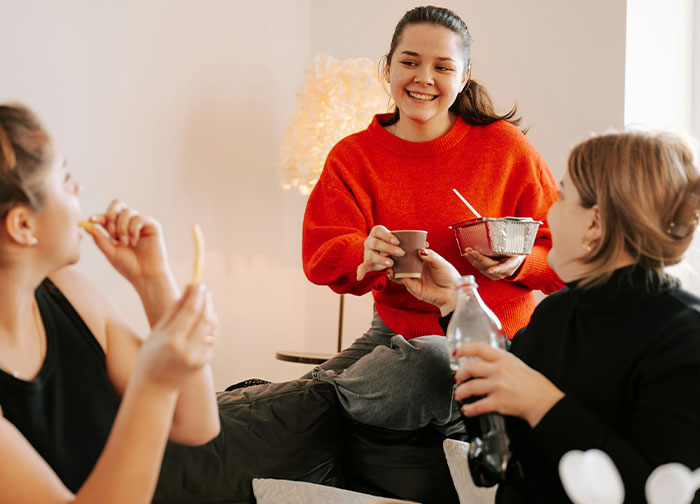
[{"x": 128, "y": 469}]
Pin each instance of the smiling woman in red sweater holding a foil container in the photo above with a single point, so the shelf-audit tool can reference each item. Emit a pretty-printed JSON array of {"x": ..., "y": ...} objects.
[{"x": 399, "y": 173}]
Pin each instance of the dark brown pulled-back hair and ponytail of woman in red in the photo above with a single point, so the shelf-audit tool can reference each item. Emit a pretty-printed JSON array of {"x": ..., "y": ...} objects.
[{"x": 474, "y": 103}]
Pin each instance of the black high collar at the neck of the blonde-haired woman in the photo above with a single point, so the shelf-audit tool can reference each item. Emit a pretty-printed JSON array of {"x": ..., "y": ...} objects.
[{"x": 625, "y": 287}]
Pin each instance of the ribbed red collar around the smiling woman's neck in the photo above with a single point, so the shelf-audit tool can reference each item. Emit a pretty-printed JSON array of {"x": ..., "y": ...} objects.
[{"x": 416, "y": 149}]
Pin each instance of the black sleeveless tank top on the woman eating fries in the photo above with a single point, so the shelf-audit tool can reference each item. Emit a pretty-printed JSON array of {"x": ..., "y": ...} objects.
[{"x": 67, "y": 411}]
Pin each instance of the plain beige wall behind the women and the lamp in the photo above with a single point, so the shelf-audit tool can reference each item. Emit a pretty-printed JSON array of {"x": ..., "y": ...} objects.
[{"x": 179, "y": 107}]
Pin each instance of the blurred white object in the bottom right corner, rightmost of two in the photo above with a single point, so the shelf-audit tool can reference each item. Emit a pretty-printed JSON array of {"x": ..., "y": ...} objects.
[{"x": 672, "y": 484}]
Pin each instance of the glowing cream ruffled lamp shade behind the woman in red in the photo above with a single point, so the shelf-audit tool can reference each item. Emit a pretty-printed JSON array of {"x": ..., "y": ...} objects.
[{"x": 337, "y": 98}]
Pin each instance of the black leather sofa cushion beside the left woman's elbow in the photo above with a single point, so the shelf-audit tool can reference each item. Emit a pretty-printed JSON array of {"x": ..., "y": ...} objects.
[{"x": 284, "y": 430}]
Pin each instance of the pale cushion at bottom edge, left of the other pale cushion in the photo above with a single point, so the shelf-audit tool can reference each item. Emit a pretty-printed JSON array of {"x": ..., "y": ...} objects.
[{"x": 273, "y": 491}]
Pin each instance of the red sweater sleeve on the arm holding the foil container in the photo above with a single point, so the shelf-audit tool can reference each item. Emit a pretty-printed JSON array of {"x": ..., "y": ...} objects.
[{"x": 537, "y": 191}]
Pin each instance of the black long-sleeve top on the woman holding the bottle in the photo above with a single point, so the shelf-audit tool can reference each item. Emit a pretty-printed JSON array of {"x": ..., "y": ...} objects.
[{"x": 627, "y": 357}]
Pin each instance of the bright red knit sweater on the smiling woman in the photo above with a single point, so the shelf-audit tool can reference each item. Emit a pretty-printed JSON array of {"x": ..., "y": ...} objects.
[{"x": 373, "y": 177}]
